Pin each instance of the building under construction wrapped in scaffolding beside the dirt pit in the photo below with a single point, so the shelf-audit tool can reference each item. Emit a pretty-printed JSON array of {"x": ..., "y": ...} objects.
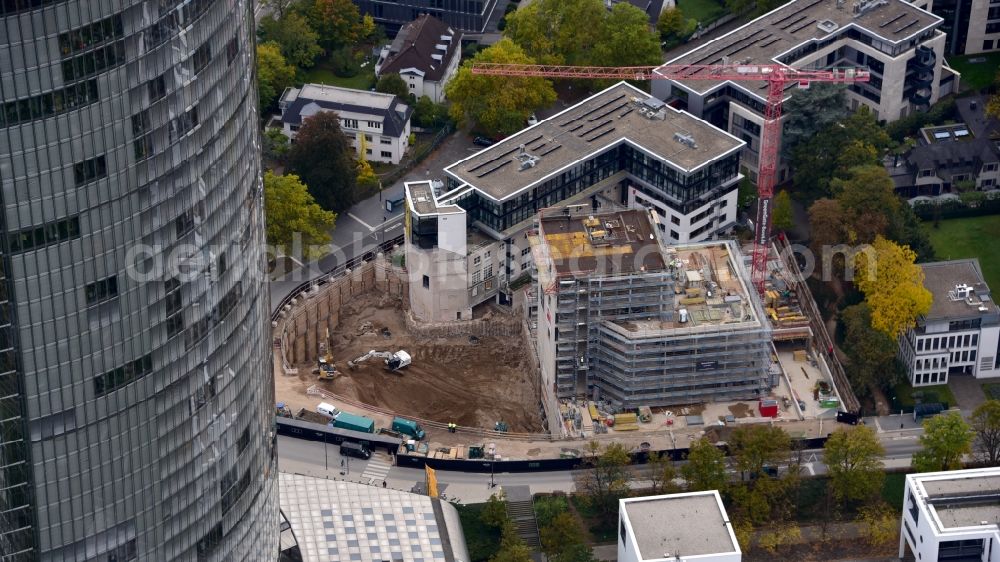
[{"x": 635, "y": 322}]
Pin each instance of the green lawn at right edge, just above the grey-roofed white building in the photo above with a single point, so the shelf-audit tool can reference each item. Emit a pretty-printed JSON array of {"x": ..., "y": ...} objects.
[{"x": 969, "y": 238}]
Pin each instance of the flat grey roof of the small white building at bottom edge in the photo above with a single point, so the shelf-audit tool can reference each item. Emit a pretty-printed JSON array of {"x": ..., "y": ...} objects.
[{"x": 679, "y": 525}]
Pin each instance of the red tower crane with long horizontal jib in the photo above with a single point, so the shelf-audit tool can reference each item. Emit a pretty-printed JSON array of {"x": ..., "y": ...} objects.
[{"x": 777, "y": 77}]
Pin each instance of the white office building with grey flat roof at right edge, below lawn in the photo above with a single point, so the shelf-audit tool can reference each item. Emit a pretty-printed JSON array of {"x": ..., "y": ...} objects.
[{"x": 960, "y": 336}]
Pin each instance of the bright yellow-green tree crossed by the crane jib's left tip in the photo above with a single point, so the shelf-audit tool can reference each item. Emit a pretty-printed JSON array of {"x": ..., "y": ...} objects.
[{"x": 499, "y": 105}]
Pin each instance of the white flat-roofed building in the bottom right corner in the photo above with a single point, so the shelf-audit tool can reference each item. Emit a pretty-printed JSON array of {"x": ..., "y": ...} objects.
[{"x": 952, "y": 516}]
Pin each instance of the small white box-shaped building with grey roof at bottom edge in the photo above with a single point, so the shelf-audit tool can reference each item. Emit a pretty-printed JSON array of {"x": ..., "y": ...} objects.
[{"x": 693, "y": 526}]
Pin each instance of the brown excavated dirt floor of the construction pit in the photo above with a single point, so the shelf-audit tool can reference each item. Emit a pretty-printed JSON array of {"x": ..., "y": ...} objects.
[{"x": 449, "y": 380}]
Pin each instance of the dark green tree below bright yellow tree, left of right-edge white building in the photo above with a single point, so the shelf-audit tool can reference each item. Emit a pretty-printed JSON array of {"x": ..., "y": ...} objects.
[{"x": 871, "y": 353}]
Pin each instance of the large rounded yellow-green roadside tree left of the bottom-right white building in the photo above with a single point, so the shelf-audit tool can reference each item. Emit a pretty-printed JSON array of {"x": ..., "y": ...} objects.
[{"x": 854, "y": 460}]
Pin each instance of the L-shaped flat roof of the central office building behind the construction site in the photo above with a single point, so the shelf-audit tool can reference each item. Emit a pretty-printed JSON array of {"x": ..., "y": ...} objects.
[{"x": 621, "y": 113}]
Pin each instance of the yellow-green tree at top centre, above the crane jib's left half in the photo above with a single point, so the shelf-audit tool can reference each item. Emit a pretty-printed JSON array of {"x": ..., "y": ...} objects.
[{"x": 557, "y": 31}]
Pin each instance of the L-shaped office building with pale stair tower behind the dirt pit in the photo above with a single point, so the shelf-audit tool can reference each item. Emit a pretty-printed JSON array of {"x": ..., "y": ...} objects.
[{"x": 618, "y": 147}]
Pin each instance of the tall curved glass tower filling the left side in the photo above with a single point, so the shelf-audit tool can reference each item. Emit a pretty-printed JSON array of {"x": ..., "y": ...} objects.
[{"x": 136, "y": 392}]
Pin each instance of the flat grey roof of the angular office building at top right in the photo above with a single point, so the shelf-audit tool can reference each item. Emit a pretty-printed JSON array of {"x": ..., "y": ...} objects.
[{"x": 765, "y": 39}]
